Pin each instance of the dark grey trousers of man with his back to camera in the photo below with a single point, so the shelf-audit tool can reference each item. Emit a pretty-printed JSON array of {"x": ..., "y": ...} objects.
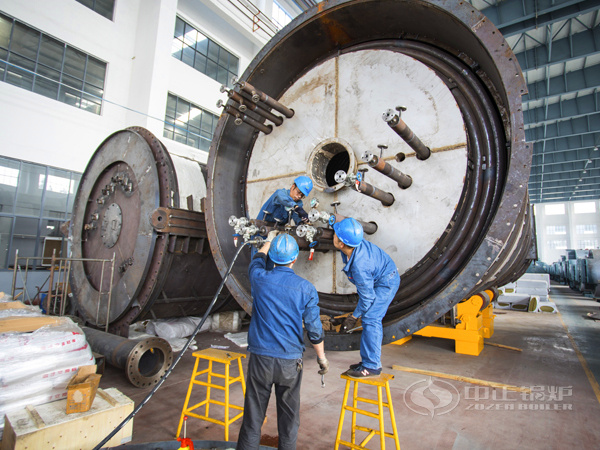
[{"x": 263, "y": 372}]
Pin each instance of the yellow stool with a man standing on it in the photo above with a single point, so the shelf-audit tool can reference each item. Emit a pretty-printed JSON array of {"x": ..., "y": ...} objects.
[{"x": 383, "y": 380}]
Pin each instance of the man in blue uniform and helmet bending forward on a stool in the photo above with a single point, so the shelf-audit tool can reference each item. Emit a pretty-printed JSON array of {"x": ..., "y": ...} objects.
[{"x": 376, "y": 278}]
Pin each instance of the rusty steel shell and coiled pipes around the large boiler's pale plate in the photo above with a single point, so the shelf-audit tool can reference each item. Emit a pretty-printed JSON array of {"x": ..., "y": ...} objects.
[{"x": 483, "y": 241}]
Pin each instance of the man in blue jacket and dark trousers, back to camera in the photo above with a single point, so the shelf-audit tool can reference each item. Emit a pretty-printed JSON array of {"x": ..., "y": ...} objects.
[{"x": 282, "y": 301}]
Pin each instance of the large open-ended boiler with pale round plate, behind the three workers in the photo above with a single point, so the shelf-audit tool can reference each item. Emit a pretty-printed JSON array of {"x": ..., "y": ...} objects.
[{"x": 432, "y": 89}]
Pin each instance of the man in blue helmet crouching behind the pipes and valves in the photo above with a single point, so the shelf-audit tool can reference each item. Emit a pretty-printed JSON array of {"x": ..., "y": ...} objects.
[{"x": 283, "y": 201}]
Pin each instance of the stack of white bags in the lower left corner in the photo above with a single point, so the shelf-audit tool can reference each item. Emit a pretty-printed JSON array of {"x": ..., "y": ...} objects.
[{"x": 36, "y": 367}]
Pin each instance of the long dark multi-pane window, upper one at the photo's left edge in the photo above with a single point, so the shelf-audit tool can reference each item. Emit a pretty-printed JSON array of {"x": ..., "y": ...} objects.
[{"x": 39, "y": 63}]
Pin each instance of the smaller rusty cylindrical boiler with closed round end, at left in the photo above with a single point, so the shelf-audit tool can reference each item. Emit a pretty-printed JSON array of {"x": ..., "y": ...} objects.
[{"x": 142, "y": 205}]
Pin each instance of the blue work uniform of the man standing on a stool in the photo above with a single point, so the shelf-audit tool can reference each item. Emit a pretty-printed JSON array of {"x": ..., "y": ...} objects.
[{"x": 376, "y": 278}]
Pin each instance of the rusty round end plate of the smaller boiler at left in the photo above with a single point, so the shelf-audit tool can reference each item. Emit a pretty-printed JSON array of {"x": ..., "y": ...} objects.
[{"x": 135, "y": 155}]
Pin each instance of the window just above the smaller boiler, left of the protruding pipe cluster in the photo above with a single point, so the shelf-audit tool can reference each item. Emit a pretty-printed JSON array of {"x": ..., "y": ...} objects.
[{"x": 188, "y": 123}]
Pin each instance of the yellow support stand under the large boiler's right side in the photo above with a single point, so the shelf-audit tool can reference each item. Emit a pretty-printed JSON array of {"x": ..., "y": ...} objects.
[{"x": 475, "y": 325}]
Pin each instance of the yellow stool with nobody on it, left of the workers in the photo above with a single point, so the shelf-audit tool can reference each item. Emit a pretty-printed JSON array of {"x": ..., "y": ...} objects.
[{"x": 217, "y": 356}]
